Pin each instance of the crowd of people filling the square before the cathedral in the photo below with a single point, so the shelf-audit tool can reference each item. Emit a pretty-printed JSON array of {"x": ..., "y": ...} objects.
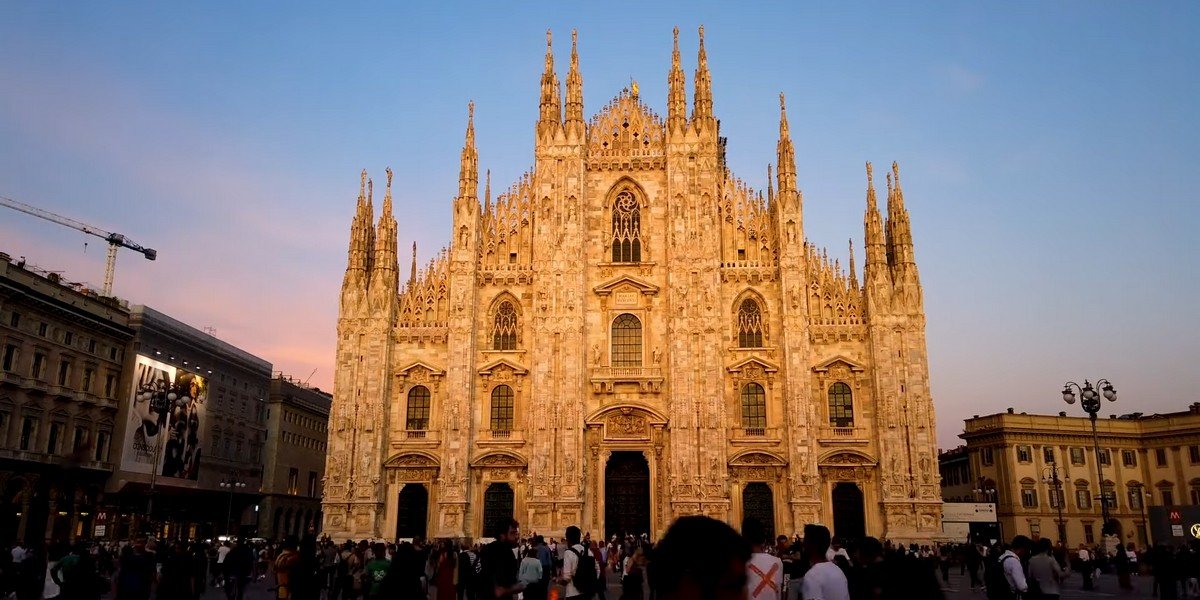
[{"x": 698, "y": 559}]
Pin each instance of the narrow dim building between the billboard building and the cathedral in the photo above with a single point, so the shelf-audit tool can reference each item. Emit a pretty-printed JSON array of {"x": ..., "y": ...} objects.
[{"x": 298, "y": 425}]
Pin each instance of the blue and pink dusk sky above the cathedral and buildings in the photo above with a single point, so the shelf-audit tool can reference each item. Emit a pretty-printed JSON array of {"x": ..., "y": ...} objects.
[{"x": 1048, "y": 153}]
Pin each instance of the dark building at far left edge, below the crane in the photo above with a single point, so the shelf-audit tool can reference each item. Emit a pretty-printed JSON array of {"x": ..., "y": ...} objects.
[{"x": 62, "y": 361}]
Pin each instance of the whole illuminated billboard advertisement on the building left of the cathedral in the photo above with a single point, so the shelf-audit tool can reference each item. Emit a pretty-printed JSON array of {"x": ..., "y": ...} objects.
[{"x": 165, "y": 422}]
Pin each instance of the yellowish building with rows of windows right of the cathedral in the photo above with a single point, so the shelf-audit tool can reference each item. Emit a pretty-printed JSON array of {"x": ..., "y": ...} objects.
[{"x": 1147, "y": 460}]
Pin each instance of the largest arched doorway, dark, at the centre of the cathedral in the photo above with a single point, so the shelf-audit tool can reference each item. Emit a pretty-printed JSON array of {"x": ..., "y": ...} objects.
[{"x": 627, "y": 495}]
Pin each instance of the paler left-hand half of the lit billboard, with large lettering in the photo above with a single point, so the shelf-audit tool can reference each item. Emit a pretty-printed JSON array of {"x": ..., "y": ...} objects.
[{"x": 153, "y": 383}]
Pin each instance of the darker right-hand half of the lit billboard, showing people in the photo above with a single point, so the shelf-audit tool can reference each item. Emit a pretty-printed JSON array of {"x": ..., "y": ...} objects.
[{"x": 182, "y": 453}]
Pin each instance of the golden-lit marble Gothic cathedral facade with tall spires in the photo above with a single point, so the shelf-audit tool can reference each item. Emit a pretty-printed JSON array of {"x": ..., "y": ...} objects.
[{"x": 627, "y": 335}]
